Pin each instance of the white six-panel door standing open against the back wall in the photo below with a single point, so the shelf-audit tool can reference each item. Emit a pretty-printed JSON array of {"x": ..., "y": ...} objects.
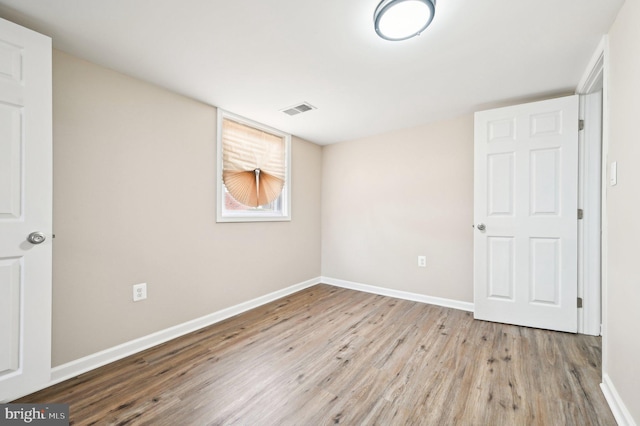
[{"x": 525, "y": 213}]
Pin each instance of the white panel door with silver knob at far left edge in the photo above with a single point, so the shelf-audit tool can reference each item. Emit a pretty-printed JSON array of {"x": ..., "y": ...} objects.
[{"x": 25, "y": 207}]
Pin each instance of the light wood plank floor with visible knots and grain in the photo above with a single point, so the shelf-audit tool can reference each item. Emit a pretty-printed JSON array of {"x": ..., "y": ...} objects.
[{"x": 334, "y": 356}]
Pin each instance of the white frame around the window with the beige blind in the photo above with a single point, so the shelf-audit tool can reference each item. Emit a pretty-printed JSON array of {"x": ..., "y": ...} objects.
[{"x": 253, "y": 215}]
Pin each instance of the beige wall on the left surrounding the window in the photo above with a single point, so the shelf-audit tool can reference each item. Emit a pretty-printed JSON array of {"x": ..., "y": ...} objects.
[{"x": 134, "y": 188}]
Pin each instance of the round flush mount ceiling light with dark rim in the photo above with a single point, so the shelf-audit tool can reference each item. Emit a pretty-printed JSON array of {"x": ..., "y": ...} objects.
[{"x": 397, "y": 20}]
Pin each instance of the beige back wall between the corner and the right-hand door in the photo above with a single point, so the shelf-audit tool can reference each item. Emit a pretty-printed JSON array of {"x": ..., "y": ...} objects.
[{"x": 389, "y": 198}]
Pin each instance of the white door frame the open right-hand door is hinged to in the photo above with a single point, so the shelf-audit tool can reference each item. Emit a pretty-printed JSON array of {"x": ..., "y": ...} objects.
[{"x": 592, "y": 284}]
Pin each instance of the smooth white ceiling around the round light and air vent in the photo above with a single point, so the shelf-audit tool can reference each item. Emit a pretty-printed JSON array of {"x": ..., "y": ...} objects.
[{"x": 255, "y": 57}]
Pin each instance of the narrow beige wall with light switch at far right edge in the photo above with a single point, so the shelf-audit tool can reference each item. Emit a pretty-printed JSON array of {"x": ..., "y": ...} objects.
[{"x": 623, "y": 204}]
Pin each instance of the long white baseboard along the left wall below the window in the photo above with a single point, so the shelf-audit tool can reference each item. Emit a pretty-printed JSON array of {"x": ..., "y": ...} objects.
[{"x": 90, "y": 362}]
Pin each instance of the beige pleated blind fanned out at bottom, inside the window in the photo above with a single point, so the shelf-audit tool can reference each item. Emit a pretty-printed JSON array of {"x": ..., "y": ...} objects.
[{"x": 253, "y": 163}]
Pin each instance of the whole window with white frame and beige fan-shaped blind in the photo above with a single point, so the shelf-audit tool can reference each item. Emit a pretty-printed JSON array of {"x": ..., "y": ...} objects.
[{"x": 253, "y": 174}]
